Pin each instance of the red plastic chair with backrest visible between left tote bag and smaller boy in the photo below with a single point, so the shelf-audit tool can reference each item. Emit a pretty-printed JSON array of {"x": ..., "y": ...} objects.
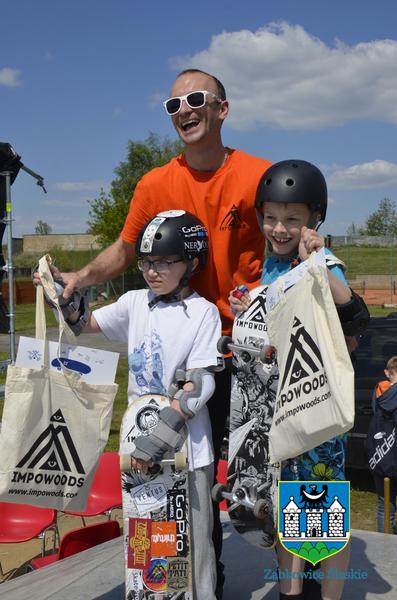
[{"x": 105, "y": 493}]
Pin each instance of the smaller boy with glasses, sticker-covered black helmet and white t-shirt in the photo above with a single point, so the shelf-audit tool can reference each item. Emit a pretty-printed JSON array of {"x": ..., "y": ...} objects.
[{"x": 170, "y": 328}]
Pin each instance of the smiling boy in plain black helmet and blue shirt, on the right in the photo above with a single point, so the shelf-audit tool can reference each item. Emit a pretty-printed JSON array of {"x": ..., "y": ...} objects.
[{"x": 291, "y": 203}]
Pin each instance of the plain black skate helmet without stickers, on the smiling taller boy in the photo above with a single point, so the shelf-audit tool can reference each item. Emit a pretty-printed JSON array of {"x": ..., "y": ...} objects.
[{"x": 293, "y": 181}]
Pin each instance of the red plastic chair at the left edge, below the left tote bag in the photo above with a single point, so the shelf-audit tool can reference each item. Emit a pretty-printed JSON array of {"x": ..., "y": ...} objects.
[{"x": 22, "y": 522}]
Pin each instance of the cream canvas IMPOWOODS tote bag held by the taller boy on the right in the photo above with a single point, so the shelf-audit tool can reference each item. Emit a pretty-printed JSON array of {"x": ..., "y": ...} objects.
[{"x": 315, "y": 396}]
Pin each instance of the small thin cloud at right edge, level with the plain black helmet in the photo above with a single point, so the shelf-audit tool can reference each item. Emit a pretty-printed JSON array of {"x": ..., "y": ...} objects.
[{"x": 375, "y": 174}]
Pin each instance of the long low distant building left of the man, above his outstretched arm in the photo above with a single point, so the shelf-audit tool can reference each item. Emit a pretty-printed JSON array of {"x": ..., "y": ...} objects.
[{"x": 66, "y": 241}]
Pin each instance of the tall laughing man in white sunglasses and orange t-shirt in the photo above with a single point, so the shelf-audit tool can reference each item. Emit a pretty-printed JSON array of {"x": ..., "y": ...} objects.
[{"x": 217, "y": 184}]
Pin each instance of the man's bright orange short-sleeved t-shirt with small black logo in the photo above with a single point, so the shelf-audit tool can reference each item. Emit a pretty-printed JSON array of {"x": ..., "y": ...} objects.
[{"x": 223, "y": 201}]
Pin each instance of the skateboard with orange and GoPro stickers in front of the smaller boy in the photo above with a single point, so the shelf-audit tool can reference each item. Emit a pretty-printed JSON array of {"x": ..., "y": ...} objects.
[{"x": 156, "y": 514}]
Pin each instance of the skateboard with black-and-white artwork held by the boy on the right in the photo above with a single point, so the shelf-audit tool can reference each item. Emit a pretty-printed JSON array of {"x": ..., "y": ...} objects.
[{"x": 251, "y": 489}]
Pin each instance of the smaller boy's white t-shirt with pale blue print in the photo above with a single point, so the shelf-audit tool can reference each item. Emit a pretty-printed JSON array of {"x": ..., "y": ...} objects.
[{"x": 161, "y": 340}]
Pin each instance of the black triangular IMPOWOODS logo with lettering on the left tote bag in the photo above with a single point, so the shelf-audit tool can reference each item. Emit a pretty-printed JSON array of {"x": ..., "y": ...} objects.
[{"x": 52, "y": 455}]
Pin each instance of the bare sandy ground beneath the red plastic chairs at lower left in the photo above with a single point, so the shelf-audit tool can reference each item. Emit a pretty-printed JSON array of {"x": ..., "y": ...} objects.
[{"x": 15, "y": 557}]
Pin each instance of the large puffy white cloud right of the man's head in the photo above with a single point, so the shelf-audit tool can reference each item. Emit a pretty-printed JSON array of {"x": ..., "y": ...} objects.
[{"x": 281, "y": 75}]
